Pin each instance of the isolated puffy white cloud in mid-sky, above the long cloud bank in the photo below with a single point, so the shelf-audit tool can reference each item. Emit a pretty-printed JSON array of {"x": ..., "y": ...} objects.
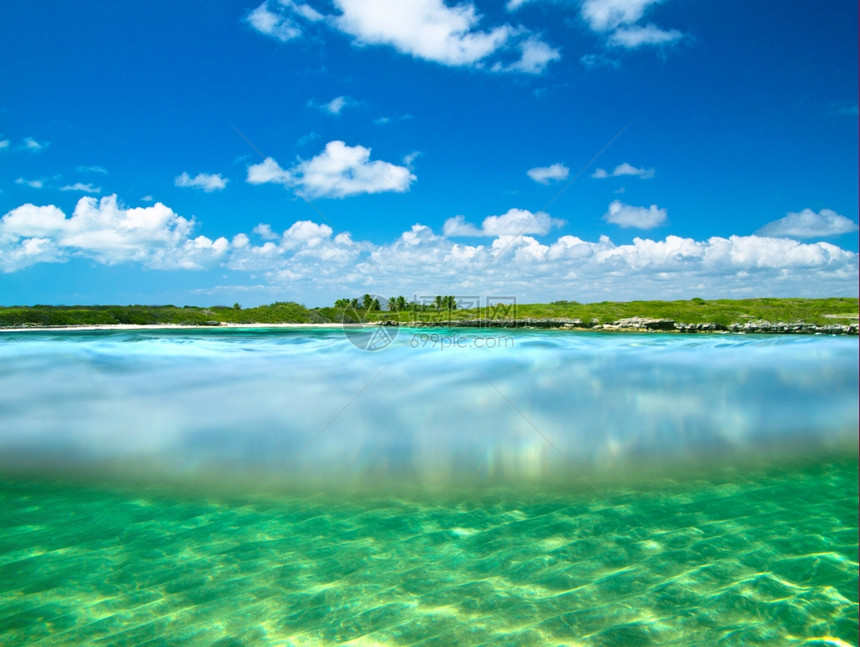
[{"x": 338, "y": 171}]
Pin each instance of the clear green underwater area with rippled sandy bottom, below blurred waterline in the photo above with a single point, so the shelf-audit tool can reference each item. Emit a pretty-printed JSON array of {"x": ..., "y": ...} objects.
[{"x": 767, "y": 557}]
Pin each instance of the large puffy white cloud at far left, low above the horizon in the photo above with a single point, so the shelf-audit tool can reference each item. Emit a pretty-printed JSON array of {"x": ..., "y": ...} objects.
[{"x": 106, "y": 232}]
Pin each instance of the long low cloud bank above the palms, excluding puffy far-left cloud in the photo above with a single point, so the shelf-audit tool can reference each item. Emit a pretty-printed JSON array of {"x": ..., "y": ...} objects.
[{"x": 423, "y": 262}]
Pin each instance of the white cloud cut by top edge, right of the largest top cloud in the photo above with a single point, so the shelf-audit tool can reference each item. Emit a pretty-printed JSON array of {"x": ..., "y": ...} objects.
[{"x": 618, "y": 21}]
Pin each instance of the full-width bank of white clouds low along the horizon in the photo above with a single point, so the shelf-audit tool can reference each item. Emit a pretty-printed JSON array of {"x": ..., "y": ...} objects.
[{"x": 316, "y": 265}]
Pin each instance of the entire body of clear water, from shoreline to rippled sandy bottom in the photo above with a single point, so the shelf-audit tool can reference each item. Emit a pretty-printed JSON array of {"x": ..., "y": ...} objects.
[{"x": 287, "y": 488}]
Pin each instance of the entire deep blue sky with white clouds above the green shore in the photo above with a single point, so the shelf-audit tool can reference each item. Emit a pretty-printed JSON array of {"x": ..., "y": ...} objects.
[{"x": 202, "y": 153}]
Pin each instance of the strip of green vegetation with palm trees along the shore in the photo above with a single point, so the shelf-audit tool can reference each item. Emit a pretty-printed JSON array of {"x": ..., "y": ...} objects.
[{"x": 442, "y": 309}]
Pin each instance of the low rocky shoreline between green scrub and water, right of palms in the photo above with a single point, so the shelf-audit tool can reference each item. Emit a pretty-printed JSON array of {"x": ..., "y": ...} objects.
[{"x": 639, "y": 324}]
